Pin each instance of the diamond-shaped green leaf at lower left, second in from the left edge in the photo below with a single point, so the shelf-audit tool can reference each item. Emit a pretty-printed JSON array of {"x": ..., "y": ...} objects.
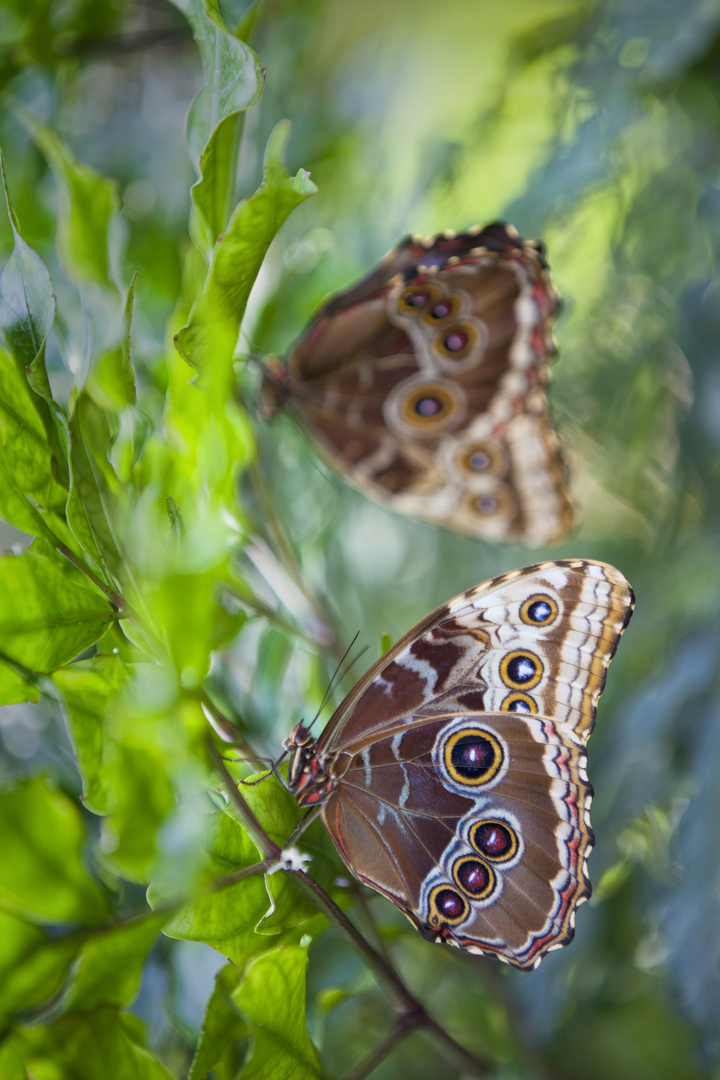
[{"x": 111, "y": 965}]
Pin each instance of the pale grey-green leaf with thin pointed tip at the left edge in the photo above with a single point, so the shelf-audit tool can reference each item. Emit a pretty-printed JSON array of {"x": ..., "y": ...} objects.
[{"x": 28, "y": 302}]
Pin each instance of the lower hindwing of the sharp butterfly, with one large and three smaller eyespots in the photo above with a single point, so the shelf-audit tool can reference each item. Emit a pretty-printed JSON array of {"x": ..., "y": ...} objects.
[{"x": 490, "y": 858}]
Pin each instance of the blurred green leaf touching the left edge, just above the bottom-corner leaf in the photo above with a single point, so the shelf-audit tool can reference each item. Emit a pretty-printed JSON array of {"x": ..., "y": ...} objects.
[{"x": 33, "y": 966}]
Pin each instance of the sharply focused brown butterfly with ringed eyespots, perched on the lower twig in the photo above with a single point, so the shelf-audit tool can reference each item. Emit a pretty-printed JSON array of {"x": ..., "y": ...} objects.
[{"x": 453, "y": 778}]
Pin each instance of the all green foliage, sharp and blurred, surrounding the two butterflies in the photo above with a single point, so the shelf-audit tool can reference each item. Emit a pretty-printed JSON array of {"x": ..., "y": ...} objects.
[{"x": 180, "y": 578}]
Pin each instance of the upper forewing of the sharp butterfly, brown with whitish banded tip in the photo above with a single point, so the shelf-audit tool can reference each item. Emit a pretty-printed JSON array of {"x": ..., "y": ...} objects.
[{"x": 536, "y": 641}]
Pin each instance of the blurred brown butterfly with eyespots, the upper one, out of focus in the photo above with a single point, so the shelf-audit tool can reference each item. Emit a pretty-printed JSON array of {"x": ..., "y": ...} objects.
[{"x": 425, "y": 386}]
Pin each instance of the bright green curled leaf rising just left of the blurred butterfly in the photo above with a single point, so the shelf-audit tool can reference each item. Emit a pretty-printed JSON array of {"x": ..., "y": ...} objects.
[{"x": 209, "y": 340}]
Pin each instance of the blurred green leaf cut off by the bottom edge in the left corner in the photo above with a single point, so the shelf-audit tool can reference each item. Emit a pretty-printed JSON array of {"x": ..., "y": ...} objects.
[{"x": 86, "y": 1046}]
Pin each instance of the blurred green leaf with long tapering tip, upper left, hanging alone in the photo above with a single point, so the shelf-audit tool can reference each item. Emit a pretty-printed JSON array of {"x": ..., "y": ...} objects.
[{"x": 87, "y": 205}]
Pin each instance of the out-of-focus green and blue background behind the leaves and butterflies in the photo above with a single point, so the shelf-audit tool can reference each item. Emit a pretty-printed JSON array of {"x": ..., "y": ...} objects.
[{"x": 595, "y": 127}]
